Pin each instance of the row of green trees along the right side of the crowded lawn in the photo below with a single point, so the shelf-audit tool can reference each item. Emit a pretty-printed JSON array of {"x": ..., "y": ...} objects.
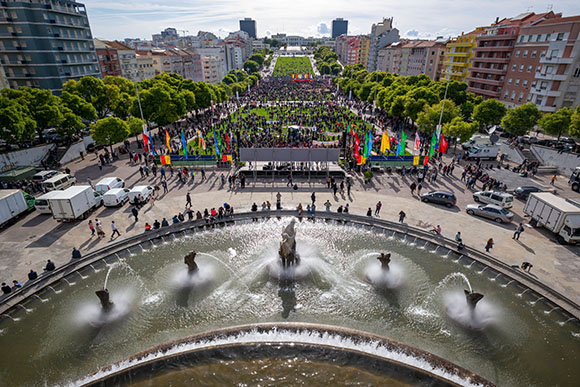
[{"x": 419, "y": 100}]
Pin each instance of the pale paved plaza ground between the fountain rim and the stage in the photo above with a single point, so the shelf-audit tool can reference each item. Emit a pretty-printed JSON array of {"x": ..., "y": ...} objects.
[{"x": 35, "y": 238}]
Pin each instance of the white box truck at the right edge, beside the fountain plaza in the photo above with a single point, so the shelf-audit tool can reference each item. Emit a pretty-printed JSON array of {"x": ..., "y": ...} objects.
[{"x": 557, "y": 214}]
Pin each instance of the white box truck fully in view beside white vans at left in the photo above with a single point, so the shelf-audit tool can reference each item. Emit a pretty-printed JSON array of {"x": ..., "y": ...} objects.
[{"x": 73, "y": 203}]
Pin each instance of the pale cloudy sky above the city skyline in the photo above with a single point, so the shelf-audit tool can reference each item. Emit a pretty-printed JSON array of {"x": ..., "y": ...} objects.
[{"x": 111, "y": 19}]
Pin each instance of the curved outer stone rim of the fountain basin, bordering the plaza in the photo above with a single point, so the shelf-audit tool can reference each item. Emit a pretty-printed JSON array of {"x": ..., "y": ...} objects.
[{"x": 47, "y": 279}]
